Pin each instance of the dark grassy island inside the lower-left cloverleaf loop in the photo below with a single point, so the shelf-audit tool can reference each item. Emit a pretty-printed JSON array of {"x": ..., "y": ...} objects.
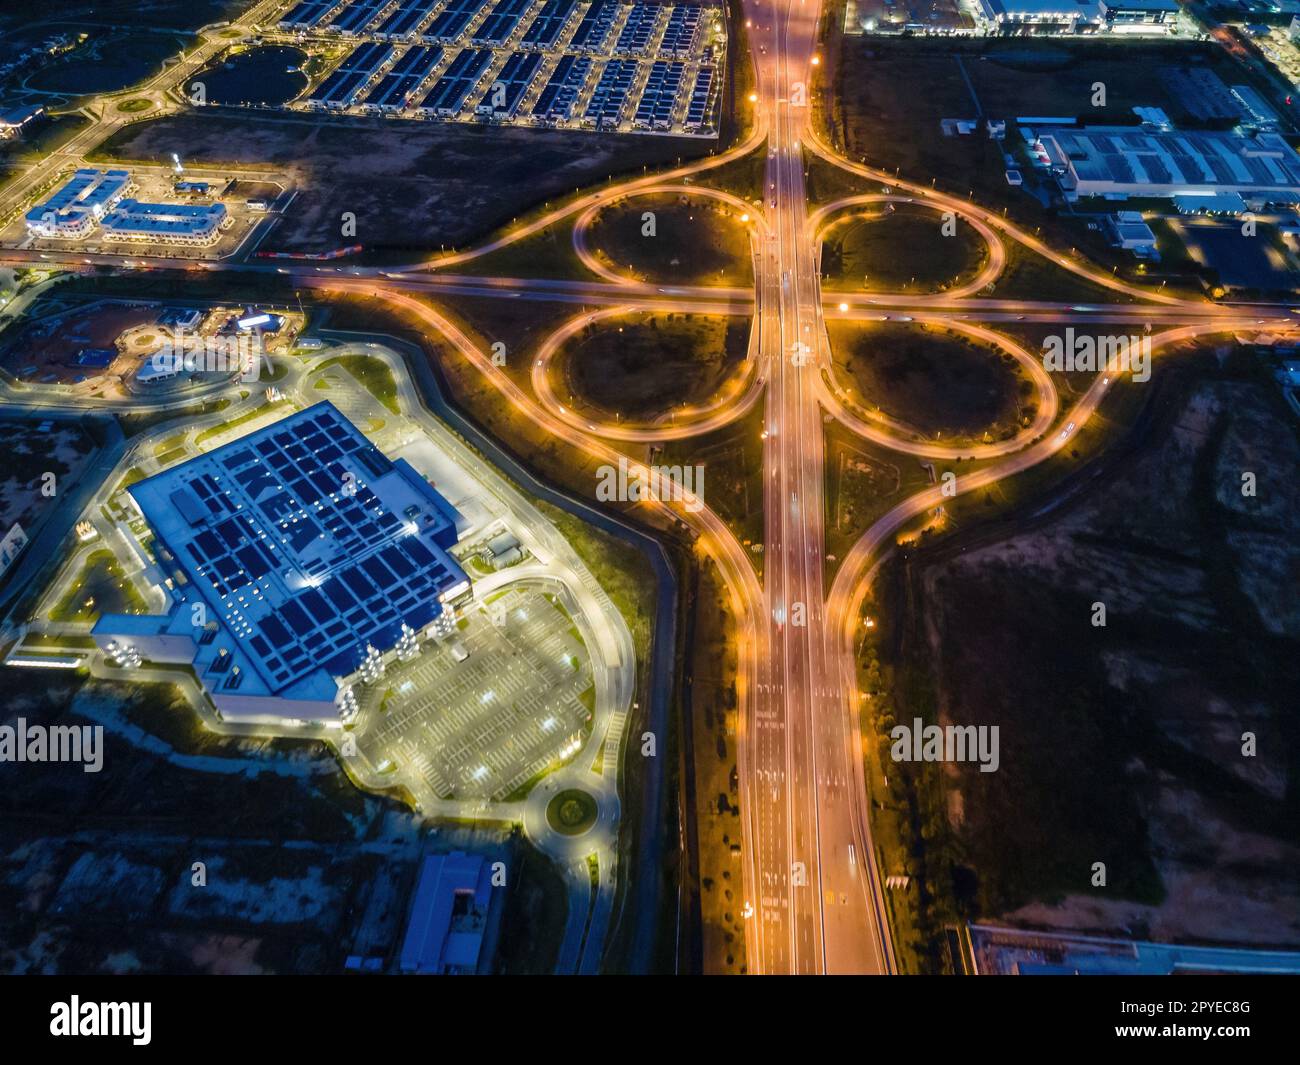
[{"x": 647, "y": 365}]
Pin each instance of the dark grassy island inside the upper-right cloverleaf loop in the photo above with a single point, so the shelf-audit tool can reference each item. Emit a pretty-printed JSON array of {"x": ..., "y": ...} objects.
[{"x": 900, "y": 250}]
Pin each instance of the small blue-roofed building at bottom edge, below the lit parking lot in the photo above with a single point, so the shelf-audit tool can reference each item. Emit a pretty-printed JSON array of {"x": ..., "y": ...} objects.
[{"x": 449, "y": 916}]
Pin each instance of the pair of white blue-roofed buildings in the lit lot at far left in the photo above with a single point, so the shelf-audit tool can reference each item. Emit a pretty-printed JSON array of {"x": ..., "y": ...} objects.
[{"x": 93, "y": 200}]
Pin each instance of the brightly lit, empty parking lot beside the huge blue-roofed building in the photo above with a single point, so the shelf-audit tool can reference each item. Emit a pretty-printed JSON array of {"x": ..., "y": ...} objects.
[{"x": 482, "y": 728}]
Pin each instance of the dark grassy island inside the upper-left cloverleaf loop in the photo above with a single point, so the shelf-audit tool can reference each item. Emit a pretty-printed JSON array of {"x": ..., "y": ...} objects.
[{"x": 674, "y": 239}]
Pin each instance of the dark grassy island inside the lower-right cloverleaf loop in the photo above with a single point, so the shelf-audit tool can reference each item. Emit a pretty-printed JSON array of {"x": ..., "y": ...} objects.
[{"x": 934, "y": 382}]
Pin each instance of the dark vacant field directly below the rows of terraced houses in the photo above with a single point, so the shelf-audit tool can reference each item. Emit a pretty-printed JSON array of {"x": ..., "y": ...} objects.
[{"x": 411, "y": 187}]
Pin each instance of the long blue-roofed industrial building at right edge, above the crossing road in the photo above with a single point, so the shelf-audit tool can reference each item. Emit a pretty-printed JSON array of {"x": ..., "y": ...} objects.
[{"x": 1123, "y": 162}]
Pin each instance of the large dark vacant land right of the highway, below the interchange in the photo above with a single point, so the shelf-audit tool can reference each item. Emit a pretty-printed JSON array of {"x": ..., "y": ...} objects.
[{"x": 1124, "y": 744}]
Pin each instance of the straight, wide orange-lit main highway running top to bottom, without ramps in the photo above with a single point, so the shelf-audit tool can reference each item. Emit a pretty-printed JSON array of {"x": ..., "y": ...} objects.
[{"x": 816, "y": 907}]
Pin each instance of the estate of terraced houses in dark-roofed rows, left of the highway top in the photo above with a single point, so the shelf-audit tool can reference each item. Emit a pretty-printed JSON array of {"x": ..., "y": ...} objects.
[{"x": 604, "y": 66}]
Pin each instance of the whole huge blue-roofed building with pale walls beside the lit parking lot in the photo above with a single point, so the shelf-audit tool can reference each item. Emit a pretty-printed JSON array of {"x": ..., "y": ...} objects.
[{"x": 293, "y": 556}]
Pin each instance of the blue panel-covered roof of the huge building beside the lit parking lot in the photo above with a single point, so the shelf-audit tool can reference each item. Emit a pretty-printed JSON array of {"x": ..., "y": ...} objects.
[{"x": 305, "y": 564}]
